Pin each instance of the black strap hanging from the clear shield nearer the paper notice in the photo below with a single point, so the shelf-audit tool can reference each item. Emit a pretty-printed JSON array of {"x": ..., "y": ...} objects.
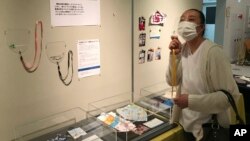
[{"x": 63, "y": 79}]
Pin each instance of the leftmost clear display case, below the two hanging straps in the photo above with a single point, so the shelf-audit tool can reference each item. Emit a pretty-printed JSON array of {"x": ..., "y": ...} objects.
[{"x": 71, "y": 125}]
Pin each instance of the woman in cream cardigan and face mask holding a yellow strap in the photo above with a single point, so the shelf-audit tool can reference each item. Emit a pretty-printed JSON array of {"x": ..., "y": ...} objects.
[{"x": 202, "y": 71}]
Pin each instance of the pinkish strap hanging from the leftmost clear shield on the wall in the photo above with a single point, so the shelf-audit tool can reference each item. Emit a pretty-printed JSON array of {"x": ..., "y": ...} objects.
[{"x": 33, "y": 67}]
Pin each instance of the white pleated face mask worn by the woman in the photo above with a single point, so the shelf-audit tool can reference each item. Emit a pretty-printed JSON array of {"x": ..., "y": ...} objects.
[{"x": 187, "y": 30}]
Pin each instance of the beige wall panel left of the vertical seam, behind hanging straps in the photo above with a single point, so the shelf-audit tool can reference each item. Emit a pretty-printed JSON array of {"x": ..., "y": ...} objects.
[{"x": 27, "y": 97}]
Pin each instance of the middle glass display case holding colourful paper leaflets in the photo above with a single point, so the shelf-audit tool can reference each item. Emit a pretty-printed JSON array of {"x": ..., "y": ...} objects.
[{"x": 129, "y": 120}]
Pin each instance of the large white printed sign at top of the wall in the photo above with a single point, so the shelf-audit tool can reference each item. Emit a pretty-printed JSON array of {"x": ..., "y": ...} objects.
[{"x": 75, "y": 12}]
